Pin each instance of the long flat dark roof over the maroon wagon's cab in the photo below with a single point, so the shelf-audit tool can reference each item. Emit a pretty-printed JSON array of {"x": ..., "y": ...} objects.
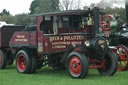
[{"x": 74, "y": 12}]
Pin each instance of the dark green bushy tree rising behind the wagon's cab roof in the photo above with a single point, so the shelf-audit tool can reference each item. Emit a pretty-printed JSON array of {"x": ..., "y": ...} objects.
[{"x": 39, "y": 6}]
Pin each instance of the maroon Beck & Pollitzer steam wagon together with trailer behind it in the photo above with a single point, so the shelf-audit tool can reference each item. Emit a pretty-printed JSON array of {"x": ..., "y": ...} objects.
[{"x": 68, "y": 39}]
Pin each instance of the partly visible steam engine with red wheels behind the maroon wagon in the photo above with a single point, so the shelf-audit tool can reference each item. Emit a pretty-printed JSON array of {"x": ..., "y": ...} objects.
[{"x": 117, "y": 36}]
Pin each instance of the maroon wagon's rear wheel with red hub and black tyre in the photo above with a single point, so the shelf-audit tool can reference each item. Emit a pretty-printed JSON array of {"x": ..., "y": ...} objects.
[{"x": 23, "y": 61}]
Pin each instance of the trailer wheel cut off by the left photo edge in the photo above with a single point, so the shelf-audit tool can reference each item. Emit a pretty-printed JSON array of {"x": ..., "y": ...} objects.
[{"x": 3, "y": 59}]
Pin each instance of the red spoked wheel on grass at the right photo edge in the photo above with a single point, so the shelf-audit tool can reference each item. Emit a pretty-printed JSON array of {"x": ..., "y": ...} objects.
[{"x": 122, "y": 52}]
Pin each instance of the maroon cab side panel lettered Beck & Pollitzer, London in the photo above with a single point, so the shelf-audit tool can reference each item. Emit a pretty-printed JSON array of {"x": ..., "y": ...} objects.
[{"x": 61, "y": 43}]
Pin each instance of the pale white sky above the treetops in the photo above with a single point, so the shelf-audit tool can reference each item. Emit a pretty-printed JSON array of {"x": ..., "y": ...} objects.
[{"x": 22, "y": 6}]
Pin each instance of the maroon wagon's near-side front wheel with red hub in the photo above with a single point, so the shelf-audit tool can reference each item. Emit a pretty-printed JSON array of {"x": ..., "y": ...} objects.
[{"x": 77, "y": 65}]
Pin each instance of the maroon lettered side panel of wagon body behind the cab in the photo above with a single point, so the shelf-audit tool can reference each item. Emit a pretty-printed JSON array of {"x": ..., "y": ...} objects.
[{"x": 23, "y": 39}]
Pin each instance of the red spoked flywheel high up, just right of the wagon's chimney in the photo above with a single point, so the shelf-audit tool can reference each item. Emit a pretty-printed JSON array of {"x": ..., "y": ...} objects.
[{"x": 105, "y": 22}]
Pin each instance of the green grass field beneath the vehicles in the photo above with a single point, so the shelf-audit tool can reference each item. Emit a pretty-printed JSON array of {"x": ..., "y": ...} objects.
[{"x": 47, "y": 76}]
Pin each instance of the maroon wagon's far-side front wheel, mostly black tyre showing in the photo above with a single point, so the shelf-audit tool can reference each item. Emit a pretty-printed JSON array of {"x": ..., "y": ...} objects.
[{"x": 110, "y": 64}]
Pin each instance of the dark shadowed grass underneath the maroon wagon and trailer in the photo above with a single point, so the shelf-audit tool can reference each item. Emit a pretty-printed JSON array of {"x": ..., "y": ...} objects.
[{"x": 49, "y": 72}]
